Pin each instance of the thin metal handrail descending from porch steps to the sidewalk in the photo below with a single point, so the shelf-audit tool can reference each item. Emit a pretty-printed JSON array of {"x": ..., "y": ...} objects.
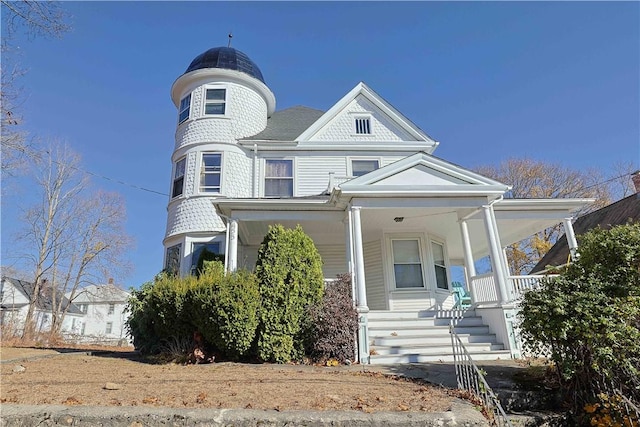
[{"x": 470, "y": 378}]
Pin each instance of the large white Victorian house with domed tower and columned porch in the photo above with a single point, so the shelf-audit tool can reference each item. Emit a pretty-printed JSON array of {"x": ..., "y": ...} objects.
[{"x": 363, "y": 181}]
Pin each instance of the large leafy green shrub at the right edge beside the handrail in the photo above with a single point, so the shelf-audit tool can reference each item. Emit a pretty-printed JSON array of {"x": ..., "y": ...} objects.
[{"x": 589, "y": 319}]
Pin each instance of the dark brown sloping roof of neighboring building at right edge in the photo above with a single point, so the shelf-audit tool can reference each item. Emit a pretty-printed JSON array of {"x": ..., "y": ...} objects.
[{"x": 618, "y": 213}]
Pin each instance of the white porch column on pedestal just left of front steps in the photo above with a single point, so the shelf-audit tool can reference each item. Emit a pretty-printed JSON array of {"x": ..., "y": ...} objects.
[{"x": 361, "y": 301}]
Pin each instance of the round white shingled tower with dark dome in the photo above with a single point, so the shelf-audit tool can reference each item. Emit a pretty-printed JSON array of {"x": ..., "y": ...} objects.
[{"x": 244, "y": 108}]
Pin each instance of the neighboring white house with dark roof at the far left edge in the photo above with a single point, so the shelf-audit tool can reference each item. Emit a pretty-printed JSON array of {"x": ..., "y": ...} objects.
[{"x": 15, "y": 296}]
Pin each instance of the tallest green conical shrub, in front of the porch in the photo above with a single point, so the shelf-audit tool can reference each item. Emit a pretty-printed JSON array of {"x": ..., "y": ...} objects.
[{"x": 289, "y": 271}]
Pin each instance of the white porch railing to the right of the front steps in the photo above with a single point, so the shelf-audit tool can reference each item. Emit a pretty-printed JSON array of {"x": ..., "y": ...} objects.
[{"x": 484, "y": 291}]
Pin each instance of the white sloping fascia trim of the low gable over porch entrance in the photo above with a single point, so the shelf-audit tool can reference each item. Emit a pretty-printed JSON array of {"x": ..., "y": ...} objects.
[{"x": 428, "y": 161}]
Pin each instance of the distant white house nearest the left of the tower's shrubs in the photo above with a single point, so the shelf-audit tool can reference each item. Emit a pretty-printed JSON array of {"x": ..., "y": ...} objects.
[{"x": 103, "y": 307}]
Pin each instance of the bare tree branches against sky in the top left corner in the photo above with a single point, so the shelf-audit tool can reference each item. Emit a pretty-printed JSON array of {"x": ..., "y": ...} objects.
[{"x": 35, "y": 19}]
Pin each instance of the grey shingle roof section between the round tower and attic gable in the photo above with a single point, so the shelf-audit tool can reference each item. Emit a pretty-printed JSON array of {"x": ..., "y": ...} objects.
[{"x": 288, "y": 124}]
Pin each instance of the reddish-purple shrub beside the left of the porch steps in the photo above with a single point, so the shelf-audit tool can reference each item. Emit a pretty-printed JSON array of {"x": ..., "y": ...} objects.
[{"x": 334, "y": 323}]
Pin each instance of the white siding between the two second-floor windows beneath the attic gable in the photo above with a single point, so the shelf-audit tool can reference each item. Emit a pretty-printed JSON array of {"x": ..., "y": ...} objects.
[{"x": 313, "y": 173}]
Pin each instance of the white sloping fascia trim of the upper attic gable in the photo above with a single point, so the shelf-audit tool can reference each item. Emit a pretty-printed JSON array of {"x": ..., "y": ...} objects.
[{"x": 374, "y": 98}]
